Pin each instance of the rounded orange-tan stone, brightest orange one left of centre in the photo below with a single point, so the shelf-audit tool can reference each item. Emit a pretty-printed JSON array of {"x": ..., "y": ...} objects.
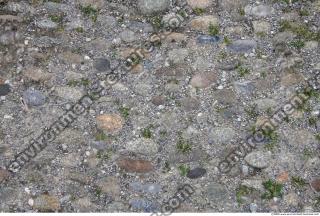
[{"x": 111, "y": 123}]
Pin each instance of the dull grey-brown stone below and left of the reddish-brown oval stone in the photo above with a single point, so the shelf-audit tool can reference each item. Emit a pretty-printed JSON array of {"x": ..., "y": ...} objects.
[{"x": 109, "y": 185}]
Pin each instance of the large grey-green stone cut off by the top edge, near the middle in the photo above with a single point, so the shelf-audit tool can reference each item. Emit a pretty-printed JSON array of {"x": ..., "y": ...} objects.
[{"x": 148, "y": 7}]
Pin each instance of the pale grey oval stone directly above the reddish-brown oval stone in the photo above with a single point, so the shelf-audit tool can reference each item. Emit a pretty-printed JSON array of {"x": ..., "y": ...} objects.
[{"x": 142, "y": 146}]
